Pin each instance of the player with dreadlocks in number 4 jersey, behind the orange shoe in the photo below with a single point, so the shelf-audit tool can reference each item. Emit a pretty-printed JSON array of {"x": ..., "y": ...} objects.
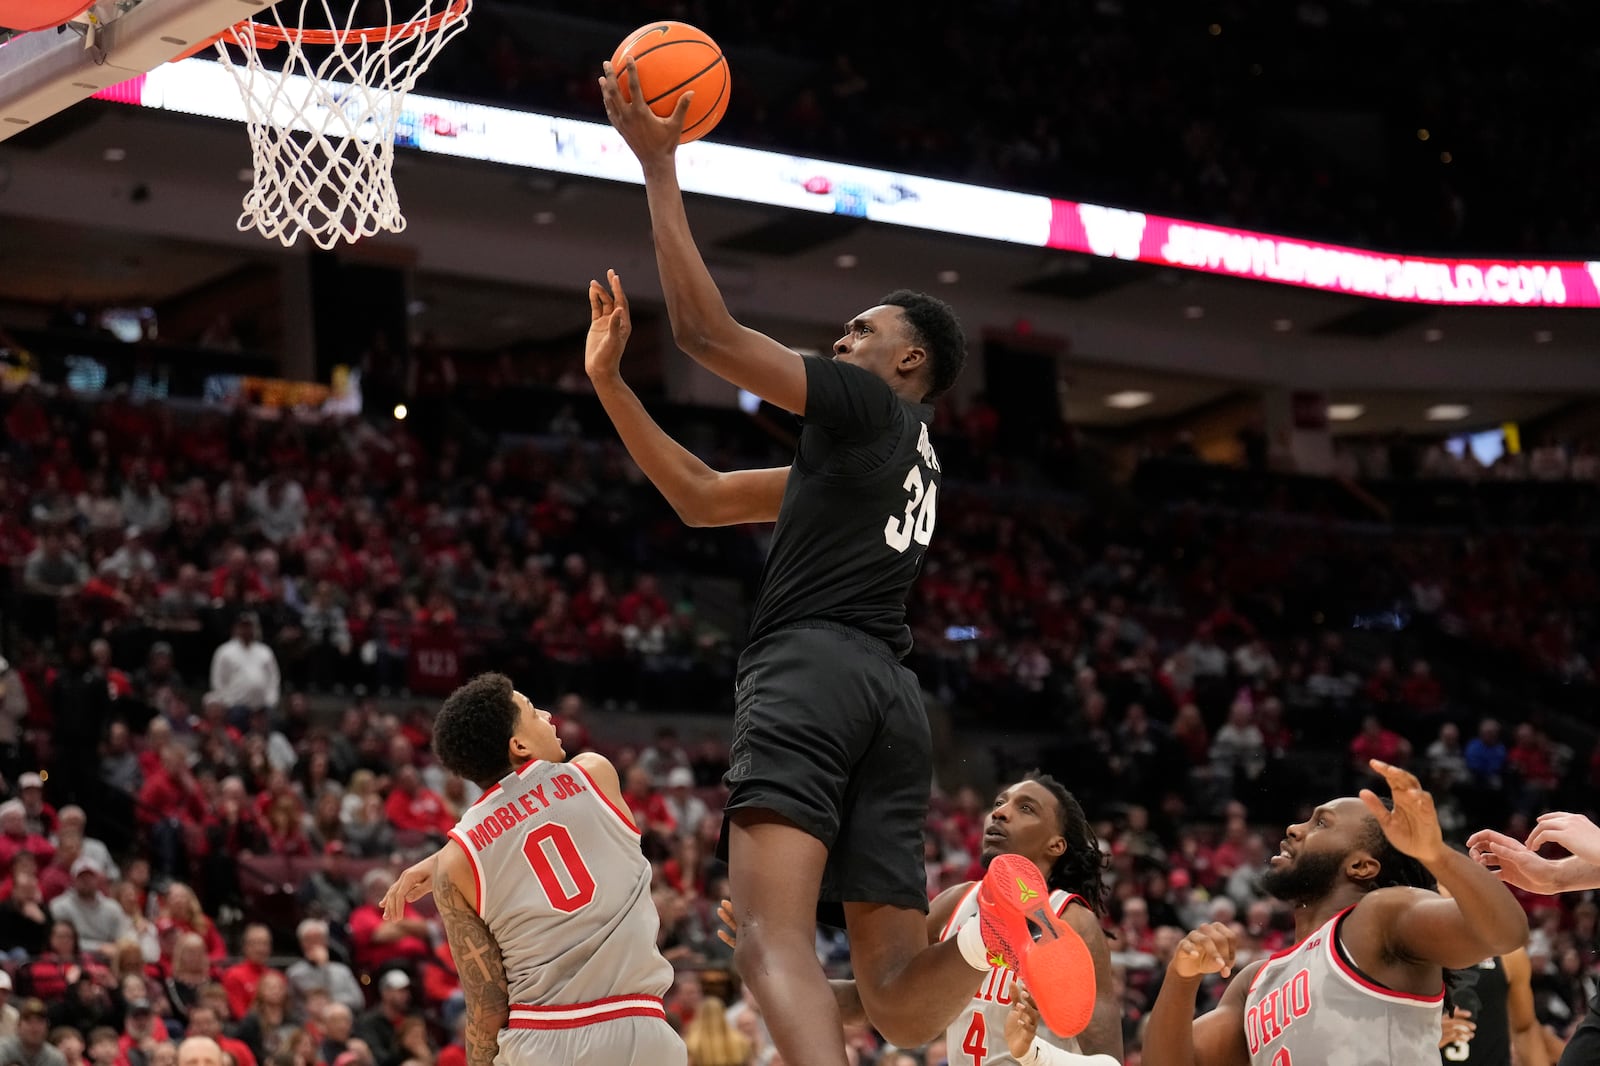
[{"x": 1041, "y": 822}]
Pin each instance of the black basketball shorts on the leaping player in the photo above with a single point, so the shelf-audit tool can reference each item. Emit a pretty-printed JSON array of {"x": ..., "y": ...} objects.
[{"x": 831, "y": 734}]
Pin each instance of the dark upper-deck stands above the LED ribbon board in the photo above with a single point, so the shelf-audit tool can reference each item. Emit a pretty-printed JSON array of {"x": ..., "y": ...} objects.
[{"x": 1250, "y": 114}]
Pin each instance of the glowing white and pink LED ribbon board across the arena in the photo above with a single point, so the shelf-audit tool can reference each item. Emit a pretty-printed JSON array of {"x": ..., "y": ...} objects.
[{"x": 569, "y": 146}]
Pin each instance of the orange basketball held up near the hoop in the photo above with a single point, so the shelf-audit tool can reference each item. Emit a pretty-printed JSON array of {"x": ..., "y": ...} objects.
[{"x": 674, "y": 58}]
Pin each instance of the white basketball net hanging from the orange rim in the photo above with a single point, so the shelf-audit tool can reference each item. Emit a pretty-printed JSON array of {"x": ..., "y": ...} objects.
[{"x": 322, "y": 129}]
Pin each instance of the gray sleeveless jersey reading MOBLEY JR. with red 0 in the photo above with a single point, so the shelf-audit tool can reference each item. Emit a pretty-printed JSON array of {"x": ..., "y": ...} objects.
[{"x": 566, "y": 891}]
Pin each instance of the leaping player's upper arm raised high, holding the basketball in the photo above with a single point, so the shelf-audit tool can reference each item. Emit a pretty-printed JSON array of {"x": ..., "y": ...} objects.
[{"x": 702, "y": 324}]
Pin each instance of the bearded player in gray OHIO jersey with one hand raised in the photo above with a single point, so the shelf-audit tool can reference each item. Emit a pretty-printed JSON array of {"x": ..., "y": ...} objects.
[{"x": 1366, "y": 980}]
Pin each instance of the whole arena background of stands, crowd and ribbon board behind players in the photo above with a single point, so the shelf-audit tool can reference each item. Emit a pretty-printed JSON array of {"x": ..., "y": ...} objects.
[{"x": 1276, "y": 452}]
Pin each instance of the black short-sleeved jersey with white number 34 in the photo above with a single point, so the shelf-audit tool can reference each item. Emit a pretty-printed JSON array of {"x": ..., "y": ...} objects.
[{"x": 858, "y": 510}]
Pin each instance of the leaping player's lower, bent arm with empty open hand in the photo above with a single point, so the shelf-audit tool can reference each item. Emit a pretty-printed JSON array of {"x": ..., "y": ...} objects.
[{"x": 698, "y": 494}]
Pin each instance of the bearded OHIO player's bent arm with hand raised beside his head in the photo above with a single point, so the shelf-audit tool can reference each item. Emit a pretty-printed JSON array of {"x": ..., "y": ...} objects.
[{"x": 1478, "y": 921}]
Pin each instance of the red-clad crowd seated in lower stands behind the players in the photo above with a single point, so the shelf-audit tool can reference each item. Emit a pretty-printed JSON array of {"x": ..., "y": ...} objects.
[{"x": 247, "y": 620}]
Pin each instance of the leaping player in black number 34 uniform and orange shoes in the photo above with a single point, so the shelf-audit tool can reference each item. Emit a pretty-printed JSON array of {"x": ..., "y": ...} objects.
[{"x": 831, "y": 761}]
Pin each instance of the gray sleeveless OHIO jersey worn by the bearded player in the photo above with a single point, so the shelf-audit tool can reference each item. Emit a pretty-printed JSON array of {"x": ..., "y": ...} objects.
[{"x": 1310, "y": 1004}]
